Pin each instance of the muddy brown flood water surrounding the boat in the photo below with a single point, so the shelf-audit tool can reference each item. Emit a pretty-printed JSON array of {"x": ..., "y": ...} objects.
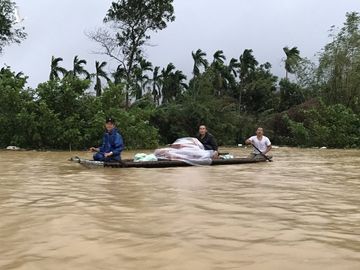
[{"x": 301, "y": 211}]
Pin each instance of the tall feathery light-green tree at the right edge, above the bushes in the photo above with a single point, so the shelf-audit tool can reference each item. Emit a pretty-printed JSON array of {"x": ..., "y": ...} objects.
[{"x": 339, "y": 65}]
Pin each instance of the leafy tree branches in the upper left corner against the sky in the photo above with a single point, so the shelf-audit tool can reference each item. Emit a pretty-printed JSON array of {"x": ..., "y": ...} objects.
[{"x": 9, "y": 32}]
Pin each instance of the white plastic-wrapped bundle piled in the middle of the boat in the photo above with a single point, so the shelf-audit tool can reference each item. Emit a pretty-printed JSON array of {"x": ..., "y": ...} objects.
[{"x": 189, "y": 150}]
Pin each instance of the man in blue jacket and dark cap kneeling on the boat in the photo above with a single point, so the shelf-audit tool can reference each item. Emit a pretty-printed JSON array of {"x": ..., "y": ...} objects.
[{"x": 112, "y": 144}]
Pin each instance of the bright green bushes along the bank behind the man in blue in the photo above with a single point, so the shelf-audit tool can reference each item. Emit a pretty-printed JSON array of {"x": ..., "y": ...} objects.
[{"x": 59, "y": 114}]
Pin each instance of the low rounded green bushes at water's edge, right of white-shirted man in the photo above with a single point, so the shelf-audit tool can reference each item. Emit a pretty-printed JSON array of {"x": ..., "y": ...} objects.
[{"x": 321, "y": 125}]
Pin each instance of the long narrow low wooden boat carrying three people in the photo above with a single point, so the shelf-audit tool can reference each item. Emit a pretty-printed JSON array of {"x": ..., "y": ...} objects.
[{"x": 128, "y": 163}]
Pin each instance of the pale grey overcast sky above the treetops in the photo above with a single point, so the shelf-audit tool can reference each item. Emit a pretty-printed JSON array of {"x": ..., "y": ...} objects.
[{"x": 266, "y": 26}]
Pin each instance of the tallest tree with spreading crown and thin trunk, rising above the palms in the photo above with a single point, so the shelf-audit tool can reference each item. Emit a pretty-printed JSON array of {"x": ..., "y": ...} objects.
[{"x": 131, "y": 22}]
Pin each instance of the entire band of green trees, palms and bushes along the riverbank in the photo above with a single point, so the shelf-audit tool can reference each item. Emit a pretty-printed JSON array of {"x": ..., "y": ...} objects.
[{"x": 315, "y": 104}]
